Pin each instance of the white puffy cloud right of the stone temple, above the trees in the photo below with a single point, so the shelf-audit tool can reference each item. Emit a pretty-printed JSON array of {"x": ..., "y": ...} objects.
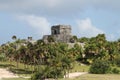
[{"x": 87, "y": 29}]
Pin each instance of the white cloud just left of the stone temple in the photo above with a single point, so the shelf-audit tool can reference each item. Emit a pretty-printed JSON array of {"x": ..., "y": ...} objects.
[{"x": 40, "y": 24}]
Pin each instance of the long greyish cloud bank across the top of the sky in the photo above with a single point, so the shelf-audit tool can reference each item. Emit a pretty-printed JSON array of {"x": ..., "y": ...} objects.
[{"x": 57, "y": 7}]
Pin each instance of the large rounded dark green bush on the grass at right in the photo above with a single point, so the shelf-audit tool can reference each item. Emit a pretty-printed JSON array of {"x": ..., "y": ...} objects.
[{"x": 100, "y": 67}]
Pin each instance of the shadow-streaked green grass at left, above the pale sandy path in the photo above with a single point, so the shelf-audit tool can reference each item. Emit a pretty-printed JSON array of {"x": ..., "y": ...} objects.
[{"x": 21, "y": 70}]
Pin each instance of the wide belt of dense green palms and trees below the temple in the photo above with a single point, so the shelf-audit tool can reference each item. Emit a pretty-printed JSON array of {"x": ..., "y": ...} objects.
[{"x": 60, "y": 56}]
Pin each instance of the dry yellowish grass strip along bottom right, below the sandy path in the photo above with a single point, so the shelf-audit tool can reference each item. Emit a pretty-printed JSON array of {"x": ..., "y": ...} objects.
[{"x": 96, "y": 77}]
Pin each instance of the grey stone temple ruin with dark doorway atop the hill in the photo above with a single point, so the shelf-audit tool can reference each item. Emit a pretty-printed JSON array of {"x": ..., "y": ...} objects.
[{"x": 60, "y": 33}]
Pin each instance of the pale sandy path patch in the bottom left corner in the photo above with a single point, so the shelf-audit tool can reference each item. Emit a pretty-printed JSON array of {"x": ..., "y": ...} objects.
[{"x": 4, "y": 73}]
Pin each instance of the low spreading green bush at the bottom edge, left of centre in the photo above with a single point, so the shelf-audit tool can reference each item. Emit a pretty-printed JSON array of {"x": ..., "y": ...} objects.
[{"x": 47, "y": 72}]
